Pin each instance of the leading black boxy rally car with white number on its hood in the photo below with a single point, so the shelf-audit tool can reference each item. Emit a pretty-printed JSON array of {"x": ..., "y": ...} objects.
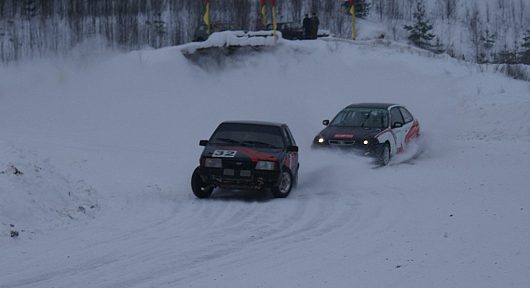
[{"x": 247, "y": 155}]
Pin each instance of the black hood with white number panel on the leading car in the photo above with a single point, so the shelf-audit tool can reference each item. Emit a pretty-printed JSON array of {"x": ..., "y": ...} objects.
[{"x": 242, "y": 153}]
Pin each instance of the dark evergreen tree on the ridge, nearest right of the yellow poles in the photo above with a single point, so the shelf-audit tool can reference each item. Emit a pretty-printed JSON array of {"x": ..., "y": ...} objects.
[{"x": 420, "y": 32}]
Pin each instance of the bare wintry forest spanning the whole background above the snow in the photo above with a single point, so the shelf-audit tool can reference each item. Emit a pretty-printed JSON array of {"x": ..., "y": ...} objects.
[{"x": 474, "y": 30}]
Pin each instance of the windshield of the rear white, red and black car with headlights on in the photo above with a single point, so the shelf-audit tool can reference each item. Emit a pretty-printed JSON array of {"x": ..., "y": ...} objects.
[{"x": 361, "y": 117}]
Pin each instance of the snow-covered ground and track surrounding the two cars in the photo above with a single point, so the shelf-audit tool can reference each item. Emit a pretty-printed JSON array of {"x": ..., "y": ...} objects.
[{"x": 105, "y": 146}]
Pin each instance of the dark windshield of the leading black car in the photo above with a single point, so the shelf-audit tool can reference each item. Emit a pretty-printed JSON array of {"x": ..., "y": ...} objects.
[{"x": 250, "y": 135}]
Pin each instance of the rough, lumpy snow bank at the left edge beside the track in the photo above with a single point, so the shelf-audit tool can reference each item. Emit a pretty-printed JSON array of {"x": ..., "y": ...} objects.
[{"x": 36, "y": 197}]
